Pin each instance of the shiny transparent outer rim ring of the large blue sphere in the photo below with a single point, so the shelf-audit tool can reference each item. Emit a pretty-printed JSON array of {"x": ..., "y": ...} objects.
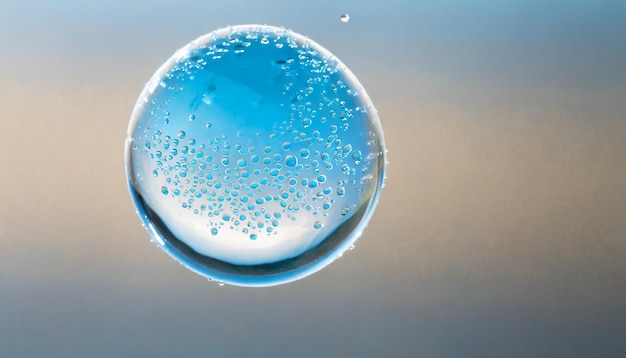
[{"x": 274, "y": 278}]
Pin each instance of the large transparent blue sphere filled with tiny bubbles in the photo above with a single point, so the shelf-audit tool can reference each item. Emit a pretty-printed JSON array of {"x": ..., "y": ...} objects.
[{"x": 254, "y": 157}]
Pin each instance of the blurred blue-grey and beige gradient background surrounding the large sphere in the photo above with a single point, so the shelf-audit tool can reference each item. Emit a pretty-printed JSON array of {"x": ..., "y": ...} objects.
[{"x": 501, "y": 231}]
